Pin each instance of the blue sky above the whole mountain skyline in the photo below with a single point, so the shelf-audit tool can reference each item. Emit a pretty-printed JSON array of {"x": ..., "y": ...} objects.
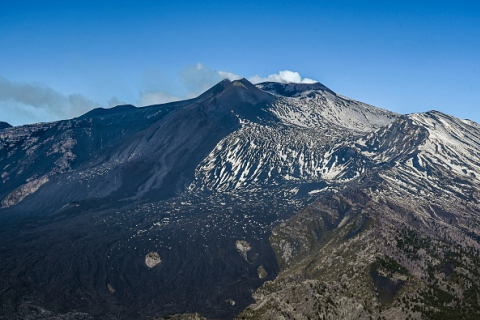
[{"x": 59, "y": 59}]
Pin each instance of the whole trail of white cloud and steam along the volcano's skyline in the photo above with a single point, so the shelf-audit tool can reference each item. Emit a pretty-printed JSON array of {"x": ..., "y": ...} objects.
[{"x": 22, "y": 103}]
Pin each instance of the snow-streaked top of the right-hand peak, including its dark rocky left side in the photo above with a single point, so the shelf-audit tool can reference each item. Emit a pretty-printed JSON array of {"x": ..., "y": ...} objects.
[{"x": 422, "y": 152}]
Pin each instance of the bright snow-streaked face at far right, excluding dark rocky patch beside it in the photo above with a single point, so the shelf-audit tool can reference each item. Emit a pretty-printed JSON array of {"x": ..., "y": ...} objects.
[{"x": 447, "y": 161}]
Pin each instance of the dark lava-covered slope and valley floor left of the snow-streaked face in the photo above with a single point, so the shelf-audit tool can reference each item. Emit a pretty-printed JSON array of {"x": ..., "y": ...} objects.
[{"x": 95, "y": 191}]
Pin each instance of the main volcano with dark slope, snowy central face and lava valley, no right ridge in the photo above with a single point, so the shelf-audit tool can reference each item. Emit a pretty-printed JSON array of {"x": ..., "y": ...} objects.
[{"x": 165, "y": 209}]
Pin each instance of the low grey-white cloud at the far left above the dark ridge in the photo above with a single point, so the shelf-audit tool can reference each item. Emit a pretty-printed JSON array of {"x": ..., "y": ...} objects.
[{"x": 27, "y": 103}]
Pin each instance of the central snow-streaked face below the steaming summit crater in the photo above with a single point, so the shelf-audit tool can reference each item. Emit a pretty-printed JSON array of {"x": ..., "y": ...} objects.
[{"x": 297, "y": 147}]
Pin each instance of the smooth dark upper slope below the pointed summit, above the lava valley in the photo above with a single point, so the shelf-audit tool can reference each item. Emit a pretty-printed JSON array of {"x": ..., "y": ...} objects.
[{"x": 125, "y": 152}]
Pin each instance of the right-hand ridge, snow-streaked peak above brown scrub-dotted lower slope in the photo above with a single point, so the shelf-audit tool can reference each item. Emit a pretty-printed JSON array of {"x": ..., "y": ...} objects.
[{"x": 399, "y": 242}]
